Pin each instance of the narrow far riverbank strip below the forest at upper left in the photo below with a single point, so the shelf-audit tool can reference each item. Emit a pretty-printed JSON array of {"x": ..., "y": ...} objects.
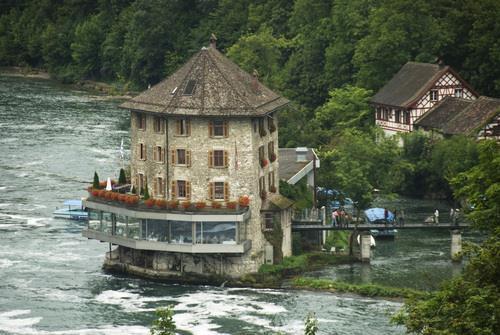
[{"x": 106, "y": 90}]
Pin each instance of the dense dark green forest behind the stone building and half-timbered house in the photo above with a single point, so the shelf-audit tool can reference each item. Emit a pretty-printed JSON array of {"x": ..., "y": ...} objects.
[{"x": 327, "y": 56}]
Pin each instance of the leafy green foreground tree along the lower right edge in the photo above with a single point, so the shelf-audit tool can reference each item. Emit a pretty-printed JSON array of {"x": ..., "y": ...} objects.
[{"x": 469, "y": 303}]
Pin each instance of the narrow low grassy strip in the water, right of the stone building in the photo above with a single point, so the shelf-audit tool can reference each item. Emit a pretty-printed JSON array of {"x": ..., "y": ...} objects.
[{"x": 368, "y": 290}]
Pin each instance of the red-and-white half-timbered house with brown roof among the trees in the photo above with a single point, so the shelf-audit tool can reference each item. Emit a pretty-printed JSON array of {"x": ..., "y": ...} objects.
[{"x": 415, "y": 89}]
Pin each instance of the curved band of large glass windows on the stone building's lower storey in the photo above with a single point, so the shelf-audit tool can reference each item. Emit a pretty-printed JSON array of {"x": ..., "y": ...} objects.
[{"x": 168, "y": 231}]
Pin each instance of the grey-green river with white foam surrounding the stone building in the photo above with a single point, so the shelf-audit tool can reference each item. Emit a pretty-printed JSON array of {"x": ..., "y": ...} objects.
[{"x": 52, "y": 140}]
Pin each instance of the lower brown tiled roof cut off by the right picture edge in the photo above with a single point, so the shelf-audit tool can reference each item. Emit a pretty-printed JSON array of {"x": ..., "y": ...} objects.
[{"x": 473, "y": 116}]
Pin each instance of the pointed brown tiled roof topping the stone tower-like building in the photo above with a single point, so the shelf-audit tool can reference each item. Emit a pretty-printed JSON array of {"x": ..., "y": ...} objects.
[{"x": 220, "y": 88}]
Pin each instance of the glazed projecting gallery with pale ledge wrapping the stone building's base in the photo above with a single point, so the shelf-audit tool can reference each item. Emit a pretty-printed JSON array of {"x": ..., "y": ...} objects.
[{"x": 192, "y": 230}]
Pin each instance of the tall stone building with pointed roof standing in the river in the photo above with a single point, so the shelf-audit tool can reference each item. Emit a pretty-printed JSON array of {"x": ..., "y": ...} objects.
[{"x": 205, "y": 137}]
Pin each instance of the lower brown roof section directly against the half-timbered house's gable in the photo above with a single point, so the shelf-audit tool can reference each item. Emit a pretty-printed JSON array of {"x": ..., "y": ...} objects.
[{"x": 439, "y": 115}]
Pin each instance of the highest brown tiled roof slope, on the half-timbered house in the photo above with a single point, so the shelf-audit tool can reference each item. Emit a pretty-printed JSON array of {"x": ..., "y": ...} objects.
[{"x": 410, "y": 83}]
